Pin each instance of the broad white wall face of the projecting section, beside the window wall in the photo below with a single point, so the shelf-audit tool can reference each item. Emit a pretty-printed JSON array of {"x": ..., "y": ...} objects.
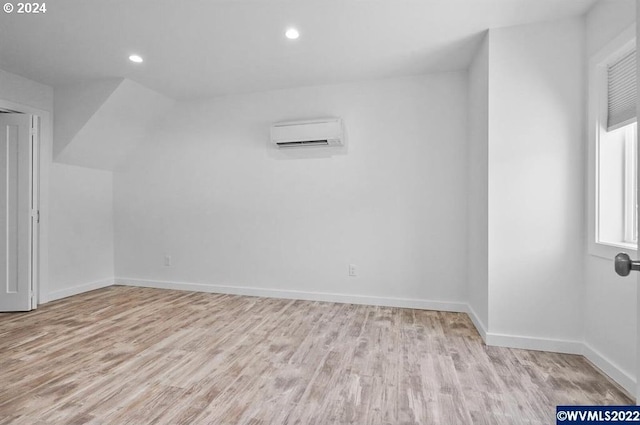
[{"x": 536, "y": 195}]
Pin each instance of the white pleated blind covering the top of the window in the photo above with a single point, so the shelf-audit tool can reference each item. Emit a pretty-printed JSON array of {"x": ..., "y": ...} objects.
[{"x": 621, "y": 76}]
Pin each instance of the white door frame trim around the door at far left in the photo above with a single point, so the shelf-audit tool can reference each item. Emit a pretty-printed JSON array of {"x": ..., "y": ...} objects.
[{"x": 39, "y": 175}]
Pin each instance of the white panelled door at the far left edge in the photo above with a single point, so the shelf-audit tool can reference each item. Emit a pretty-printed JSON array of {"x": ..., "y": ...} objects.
[{"x": 16, "y": 213}]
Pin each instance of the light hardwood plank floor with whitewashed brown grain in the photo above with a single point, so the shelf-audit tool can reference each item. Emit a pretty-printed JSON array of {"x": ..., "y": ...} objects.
[{"x": 140, "y": 356}]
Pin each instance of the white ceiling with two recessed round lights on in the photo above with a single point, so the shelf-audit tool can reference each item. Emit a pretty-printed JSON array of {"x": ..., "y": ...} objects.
[{"x": 203, "y": 48}]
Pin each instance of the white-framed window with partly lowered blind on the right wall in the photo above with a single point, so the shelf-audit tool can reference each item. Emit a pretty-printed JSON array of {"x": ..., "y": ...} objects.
[{"x": 613, "y": 210}]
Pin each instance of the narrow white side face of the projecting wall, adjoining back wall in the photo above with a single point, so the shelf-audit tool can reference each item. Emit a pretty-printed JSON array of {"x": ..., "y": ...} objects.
[{"x": 478, "y": 202}]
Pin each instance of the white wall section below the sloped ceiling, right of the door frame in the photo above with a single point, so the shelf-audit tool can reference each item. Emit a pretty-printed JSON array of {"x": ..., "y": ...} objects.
[{"x": 81, "y": 230}]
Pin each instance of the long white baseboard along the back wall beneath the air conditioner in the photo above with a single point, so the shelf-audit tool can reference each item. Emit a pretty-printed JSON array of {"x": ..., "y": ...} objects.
[{"x": 299, "y": 295}]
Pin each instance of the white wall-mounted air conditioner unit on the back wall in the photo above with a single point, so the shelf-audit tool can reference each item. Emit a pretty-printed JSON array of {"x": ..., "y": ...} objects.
[{"x": 319, "y": 132}]
